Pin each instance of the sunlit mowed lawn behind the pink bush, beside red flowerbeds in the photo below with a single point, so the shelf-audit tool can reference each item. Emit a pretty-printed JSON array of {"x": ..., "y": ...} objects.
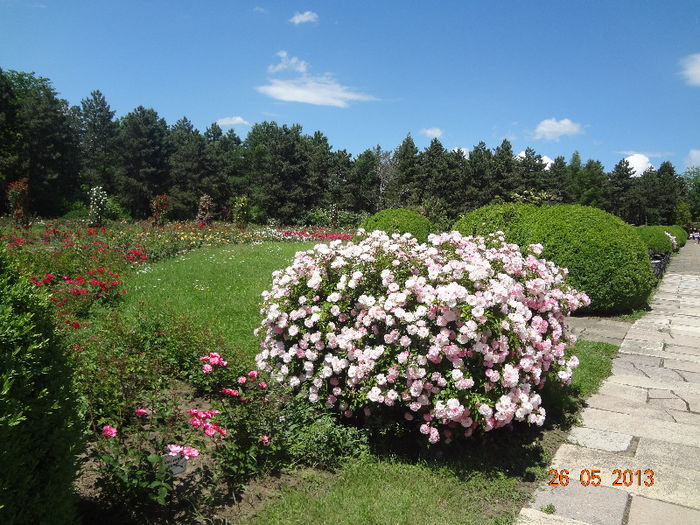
[{"x": 215, "y": 287}]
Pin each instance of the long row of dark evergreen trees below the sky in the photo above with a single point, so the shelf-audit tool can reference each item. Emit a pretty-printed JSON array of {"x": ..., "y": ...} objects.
[{"x": 292, "y": 177}]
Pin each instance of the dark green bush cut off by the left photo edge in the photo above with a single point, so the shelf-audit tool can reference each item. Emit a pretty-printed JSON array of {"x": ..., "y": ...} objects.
[{"x": 39, "y": 434}]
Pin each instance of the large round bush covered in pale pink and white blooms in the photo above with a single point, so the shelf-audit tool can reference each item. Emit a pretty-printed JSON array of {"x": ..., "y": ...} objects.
[{"x": 453, "y": 335}]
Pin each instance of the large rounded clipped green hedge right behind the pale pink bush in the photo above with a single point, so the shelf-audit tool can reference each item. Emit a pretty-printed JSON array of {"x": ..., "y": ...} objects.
[{"x": 605, "y": 256}]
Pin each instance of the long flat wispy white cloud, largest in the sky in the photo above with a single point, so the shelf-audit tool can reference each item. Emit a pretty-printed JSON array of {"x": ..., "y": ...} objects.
[{"x": 318, "y": 90}]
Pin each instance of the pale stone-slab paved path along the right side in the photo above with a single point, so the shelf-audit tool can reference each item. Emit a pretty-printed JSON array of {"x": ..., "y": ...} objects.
[{"x": 645, "y": 417}]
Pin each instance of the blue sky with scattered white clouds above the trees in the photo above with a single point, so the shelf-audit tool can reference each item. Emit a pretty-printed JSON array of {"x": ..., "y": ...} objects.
[{"x": 609, "y": 79}]
